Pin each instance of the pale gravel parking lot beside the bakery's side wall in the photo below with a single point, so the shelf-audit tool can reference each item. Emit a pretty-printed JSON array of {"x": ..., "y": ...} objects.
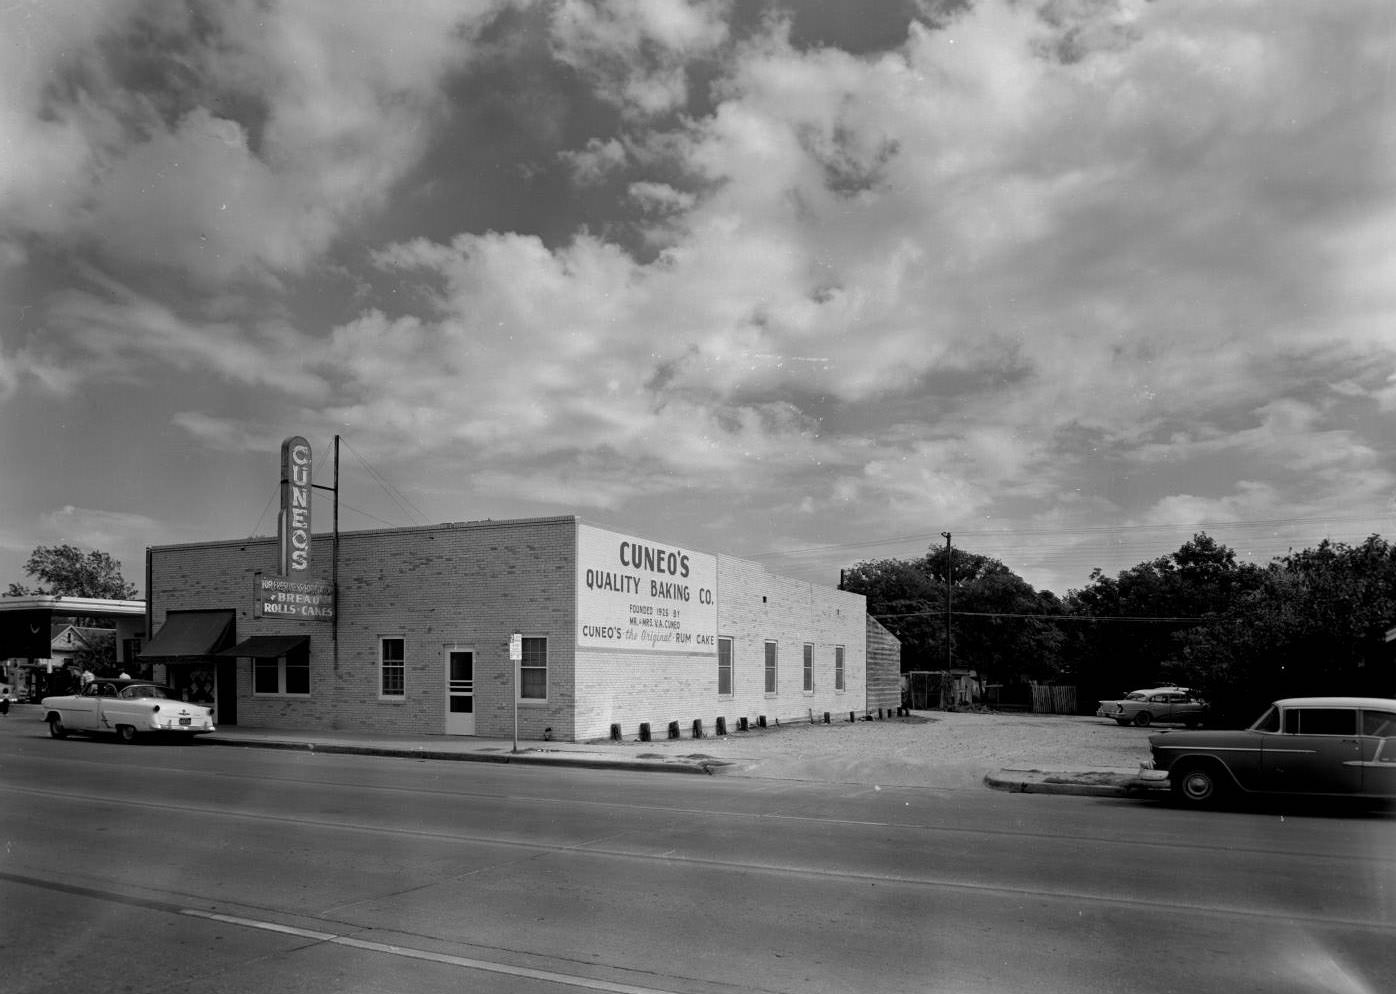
[{"x": 929, "y": 749}]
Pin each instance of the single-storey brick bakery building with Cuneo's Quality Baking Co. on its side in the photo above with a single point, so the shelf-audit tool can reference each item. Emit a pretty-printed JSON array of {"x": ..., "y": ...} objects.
[{"x": 464, "y": 629}]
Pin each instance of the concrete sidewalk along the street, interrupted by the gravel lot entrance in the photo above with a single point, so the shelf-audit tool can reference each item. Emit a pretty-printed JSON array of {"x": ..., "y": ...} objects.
[{"x": 600, "y": 756}]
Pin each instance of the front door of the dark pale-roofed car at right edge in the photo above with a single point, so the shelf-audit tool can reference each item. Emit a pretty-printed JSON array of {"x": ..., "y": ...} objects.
[{"x": 1317, "y": 752}]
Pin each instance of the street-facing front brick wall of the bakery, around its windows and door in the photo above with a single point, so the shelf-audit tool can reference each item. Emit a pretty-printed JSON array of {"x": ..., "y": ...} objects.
[{"x": 445, "y": 586}]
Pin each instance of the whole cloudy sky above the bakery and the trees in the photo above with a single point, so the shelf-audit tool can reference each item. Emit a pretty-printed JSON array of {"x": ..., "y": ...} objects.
[{"x": 805, "y": 283}]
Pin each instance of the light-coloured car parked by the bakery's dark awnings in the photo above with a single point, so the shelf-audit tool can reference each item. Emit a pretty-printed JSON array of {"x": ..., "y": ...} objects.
[{"x": 126, "y": 709}]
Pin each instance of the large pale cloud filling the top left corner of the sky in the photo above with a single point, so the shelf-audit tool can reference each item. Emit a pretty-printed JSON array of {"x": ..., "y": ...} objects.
[{"x": 224, "y": 139}]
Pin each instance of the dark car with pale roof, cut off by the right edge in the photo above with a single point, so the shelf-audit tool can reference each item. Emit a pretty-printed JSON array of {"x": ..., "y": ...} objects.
[{"x": 1299, "y": 746}]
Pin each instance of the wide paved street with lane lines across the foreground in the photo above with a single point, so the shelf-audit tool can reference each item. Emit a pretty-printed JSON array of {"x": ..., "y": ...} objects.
[{"x": 198, "y": 868}]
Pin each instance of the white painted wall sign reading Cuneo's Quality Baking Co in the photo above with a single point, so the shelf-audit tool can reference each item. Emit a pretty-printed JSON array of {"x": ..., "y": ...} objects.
[{"x": 634, "y": 594}]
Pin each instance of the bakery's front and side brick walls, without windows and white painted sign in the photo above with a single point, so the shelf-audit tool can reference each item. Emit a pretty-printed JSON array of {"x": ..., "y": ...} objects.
[{"x": 471, "y": 587}]
